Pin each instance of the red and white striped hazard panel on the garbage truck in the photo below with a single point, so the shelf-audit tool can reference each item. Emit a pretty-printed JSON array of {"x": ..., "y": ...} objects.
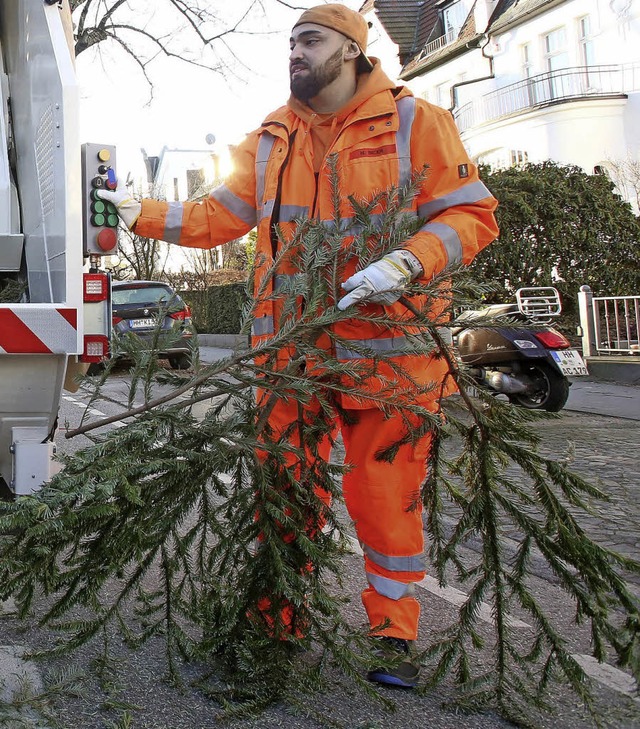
[{"x": 38, "y": 330}]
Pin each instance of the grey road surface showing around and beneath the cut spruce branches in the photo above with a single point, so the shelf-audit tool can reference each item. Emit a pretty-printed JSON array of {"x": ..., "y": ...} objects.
[{"x": 599, "y": 432}]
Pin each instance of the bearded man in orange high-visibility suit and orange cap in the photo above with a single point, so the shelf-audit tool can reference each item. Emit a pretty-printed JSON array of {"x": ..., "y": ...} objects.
[{"x": 343, "y": 104}]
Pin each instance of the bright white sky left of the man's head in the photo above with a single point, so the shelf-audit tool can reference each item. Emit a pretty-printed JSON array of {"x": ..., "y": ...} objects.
[{"x": 188, "y": 103}]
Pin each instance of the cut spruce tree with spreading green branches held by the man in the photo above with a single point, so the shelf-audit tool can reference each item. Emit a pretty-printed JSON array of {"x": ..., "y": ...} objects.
[{"x": 201, "y": 532}]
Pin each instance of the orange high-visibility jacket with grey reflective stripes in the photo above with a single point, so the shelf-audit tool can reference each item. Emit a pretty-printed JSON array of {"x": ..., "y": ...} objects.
[{"x": 381, "y": 144}]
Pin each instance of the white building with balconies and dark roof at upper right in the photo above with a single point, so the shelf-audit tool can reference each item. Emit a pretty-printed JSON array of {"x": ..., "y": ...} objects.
[{"x": 532, "y": 80}]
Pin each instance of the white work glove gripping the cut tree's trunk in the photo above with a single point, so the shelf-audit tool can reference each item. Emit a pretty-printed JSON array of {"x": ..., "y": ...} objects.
[{"x": 382, "y": 282}]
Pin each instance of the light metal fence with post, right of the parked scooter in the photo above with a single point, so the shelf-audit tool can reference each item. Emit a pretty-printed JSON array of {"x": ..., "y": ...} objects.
[{"x": 609, "y": 324}]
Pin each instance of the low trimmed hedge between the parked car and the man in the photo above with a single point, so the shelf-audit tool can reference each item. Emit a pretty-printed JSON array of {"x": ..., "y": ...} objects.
[{"x": 217, "y": 310}]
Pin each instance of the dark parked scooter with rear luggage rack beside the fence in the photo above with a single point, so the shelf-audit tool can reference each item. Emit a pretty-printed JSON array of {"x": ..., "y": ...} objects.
[{"x": 530, "y": 365}]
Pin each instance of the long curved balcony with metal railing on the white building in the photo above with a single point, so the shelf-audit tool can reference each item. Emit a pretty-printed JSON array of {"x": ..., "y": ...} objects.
[{"x": 552, "y": 87}]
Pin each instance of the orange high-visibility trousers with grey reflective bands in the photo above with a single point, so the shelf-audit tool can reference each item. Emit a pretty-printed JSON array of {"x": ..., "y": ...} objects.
[{"x": 383, "y": 500}]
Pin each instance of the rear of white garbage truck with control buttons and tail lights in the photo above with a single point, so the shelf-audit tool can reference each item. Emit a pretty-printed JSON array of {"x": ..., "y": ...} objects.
[{"x": 54, "y": 233}]
